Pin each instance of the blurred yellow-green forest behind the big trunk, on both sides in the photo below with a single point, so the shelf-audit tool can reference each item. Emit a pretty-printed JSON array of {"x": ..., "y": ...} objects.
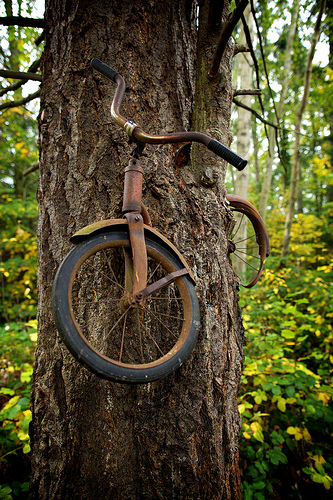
[{"x": 285, "y": 399}]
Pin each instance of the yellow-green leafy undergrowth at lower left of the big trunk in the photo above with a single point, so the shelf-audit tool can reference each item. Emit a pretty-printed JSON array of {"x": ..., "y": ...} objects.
[{"x": 17, "y": 346}]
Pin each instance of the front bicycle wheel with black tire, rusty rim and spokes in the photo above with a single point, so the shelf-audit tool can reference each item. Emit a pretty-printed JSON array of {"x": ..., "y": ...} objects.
[{"x": 78, "y": 301}]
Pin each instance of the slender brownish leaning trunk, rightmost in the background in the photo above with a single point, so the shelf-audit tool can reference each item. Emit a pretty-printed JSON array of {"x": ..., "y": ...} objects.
[{"x": 295, "y": 169}]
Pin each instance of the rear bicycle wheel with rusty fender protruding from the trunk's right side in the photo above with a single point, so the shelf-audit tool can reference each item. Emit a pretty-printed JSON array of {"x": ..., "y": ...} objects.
[{"x": 253, "y": 257}]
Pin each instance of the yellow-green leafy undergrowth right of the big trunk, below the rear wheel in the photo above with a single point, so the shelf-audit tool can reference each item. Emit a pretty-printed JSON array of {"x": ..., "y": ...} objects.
[{"x": 286, "y": 393}]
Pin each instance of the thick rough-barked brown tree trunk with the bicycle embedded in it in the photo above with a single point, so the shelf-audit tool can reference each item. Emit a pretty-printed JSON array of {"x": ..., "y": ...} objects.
[{"x": 93, "y": 439}]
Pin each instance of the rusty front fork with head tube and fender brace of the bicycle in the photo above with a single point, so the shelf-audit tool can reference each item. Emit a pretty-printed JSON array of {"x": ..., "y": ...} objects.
[{"x": 136, "y": 266}]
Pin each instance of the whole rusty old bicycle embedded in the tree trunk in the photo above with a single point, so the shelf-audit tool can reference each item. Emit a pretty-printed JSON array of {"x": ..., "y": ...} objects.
[{"x": 124, "y": 298}]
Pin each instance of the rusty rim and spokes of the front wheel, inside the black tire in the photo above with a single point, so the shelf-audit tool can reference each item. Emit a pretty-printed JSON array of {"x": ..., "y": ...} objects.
[{"x": 139, "y": 337}]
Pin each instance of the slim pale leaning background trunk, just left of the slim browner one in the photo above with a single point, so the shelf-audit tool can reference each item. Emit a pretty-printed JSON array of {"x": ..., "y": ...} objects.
[{"x": 279, "y": 110}]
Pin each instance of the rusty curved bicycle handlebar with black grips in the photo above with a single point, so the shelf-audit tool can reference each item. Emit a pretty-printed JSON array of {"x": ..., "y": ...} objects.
[{"x": 138, "y": 135}]
